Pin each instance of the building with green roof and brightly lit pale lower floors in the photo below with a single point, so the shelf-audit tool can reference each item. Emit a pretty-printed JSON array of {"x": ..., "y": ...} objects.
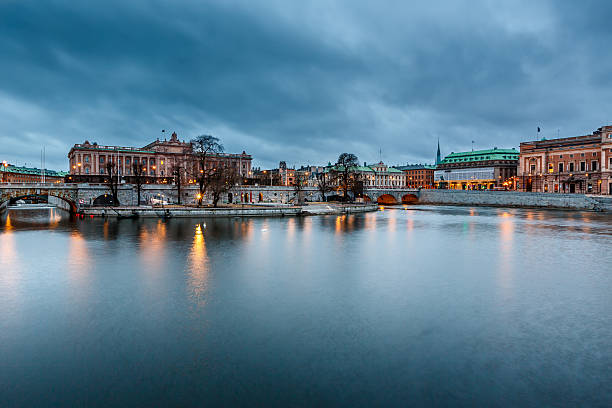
[{"x": 478, "y": 170}]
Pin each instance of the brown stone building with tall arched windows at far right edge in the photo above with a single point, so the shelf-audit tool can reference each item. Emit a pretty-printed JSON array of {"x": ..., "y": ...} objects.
[{"x": 581, "y": 164}]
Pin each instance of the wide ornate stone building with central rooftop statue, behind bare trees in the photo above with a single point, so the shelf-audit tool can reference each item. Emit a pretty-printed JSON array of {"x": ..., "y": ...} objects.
[{"x": 88, "y": 161}]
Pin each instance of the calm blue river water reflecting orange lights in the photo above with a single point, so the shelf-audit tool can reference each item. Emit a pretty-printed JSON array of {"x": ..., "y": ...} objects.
[{"x": 410, "y": 306}]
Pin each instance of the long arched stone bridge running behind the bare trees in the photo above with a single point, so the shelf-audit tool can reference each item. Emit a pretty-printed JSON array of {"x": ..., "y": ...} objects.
[{"x": 71, "y": 197}]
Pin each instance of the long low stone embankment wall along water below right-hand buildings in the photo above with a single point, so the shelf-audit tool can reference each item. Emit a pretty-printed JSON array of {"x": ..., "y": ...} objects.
[{"x": 510, "y": 199}]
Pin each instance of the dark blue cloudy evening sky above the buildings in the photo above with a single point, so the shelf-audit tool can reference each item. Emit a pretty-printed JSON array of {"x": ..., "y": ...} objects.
[{"x": 301, "y": 81}]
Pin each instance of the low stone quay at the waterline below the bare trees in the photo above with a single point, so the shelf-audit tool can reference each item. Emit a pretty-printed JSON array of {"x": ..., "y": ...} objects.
[{"x": 248, "y": 210}]
